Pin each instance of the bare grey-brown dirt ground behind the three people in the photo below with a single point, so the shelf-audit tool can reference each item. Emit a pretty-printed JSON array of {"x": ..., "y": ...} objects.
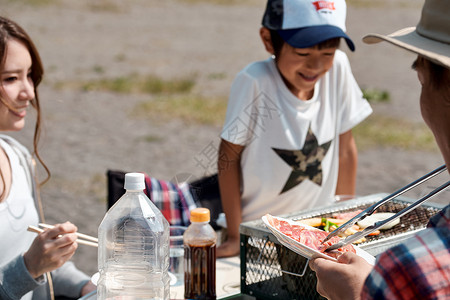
[{"x": 87, "y": 133}]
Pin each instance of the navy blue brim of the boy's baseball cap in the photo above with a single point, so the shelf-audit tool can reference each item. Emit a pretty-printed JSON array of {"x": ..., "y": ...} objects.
[{"x": 307, "y": 37}]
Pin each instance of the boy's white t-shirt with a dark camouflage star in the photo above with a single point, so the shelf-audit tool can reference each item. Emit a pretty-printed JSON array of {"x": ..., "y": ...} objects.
[{"x": 291, "y": 157}]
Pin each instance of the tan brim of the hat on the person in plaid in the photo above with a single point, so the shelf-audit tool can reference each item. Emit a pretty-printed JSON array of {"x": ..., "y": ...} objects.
[{"x": 409, "y": 39}]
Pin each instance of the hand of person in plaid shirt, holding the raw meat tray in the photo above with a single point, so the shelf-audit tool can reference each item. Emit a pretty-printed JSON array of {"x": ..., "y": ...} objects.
[{"x": 343, "y": 279}]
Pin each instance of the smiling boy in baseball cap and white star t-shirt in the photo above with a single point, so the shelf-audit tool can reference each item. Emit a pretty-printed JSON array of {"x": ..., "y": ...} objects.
[{"x": 287, "y": 143}]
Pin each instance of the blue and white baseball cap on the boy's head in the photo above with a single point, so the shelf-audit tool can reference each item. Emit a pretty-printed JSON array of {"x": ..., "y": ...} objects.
[{"x": 306, "y": 23}]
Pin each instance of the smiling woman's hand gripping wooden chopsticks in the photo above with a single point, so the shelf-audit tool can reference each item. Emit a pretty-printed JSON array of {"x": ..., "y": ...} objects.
[{"x": 51, "y": 249}]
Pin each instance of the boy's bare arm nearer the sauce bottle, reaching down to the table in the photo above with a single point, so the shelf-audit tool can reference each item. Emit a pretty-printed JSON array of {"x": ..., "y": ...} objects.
[{"x": 229, "y": 171}]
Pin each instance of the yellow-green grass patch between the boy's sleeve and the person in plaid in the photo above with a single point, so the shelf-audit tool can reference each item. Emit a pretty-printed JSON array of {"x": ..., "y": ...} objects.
[{"x": 389, "y": 132}]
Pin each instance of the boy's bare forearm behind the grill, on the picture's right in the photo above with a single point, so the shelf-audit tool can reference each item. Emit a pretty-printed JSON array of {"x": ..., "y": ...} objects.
[{"x": 348, "y": 160}]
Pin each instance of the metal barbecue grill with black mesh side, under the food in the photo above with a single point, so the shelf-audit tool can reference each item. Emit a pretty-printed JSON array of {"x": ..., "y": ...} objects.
[{"x": 271, "y": 271}]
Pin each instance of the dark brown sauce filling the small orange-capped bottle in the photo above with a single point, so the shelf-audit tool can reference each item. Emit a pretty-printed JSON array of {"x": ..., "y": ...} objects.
[{"x": 200, "y": 271}]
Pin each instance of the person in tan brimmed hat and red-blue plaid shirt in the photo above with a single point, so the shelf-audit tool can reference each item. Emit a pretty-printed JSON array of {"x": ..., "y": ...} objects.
[{"x": 418, "y": 268}]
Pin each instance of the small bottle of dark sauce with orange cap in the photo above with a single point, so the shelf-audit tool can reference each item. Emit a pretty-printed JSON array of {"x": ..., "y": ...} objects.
[{"x": 200, "y": 257}]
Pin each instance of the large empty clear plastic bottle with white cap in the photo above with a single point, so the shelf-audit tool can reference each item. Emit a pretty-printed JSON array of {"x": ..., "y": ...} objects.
[{"x": 133, "y": 250}]
